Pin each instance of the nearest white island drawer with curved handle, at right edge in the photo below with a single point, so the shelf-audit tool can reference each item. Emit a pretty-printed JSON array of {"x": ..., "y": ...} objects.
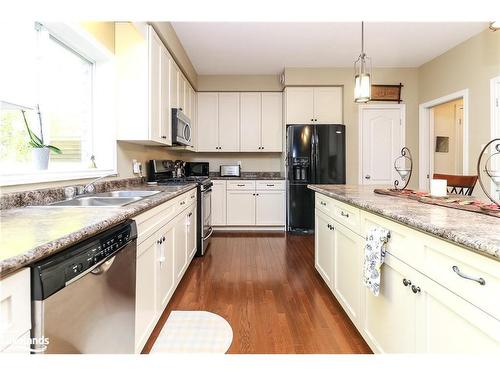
[{"x": 450, "y": 265}]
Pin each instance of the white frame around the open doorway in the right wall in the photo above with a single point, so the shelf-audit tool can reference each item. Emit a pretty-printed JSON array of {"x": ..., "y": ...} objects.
[{"x": 426, "y": 133}]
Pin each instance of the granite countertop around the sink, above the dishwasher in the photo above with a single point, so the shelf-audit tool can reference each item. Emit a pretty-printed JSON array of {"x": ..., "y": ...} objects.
[{"x": 28, "y": 234}]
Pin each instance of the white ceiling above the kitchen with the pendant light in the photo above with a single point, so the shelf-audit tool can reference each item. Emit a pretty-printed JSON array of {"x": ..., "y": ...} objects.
[{"x": 268, "y": 47}]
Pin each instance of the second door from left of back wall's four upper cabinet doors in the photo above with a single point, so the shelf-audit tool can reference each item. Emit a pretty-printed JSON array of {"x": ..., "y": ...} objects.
[{"x": 229, "y": 122}]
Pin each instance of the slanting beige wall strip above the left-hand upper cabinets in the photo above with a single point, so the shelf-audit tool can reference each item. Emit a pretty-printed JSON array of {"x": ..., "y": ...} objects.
[{"x": 167, "y": 34}]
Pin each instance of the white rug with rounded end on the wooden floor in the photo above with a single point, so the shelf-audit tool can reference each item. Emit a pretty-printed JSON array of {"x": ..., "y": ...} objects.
[{"x": 194, "y": 332}]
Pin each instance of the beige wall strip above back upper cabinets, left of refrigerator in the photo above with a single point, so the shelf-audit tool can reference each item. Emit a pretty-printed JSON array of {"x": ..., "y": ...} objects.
[{"x": 239, "y": 83}]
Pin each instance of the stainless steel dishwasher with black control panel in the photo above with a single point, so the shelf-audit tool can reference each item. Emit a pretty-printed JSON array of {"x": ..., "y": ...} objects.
[{"x": 83, "y": 298}]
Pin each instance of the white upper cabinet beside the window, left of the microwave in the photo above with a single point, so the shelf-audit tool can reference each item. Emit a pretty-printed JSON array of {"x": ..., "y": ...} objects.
[{"x": 142, "y": 86}]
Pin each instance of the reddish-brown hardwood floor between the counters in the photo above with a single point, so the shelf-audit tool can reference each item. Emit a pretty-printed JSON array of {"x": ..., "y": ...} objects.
[{"x": 266, "y": 287}]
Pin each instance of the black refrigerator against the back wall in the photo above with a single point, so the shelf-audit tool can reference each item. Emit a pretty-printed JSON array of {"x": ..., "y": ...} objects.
[{"x": 315, "y": 155}]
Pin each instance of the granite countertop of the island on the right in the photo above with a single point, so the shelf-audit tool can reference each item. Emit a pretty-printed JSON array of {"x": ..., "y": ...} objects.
[{"x": 480, "y": 233}]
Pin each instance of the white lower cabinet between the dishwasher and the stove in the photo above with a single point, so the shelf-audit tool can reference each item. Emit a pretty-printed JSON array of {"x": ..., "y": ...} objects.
[{"x": 166, "y": 245}]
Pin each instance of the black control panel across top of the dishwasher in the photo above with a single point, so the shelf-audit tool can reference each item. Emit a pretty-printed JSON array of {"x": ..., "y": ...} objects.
[{"x": 54, "y": 273}]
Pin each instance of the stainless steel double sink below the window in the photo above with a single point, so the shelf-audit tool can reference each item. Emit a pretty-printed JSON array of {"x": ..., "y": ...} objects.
[{"x": 108, "y": 199}]
